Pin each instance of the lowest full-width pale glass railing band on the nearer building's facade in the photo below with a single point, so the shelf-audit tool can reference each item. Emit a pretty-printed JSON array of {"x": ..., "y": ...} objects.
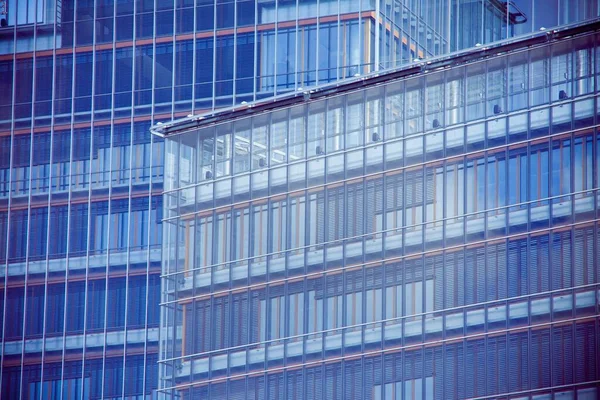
[{"x": 432, "y": 328}]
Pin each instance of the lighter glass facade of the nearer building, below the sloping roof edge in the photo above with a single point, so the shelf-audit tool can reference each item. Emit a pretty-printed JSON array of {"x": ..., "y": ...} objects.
[{"x": 428, "y": 236}]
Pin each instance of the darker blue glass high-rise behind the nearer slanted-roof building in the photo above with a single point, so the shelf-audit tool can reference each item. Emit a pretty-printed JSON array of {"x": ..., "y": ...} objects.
[{"x": 81, "y": 178}]
